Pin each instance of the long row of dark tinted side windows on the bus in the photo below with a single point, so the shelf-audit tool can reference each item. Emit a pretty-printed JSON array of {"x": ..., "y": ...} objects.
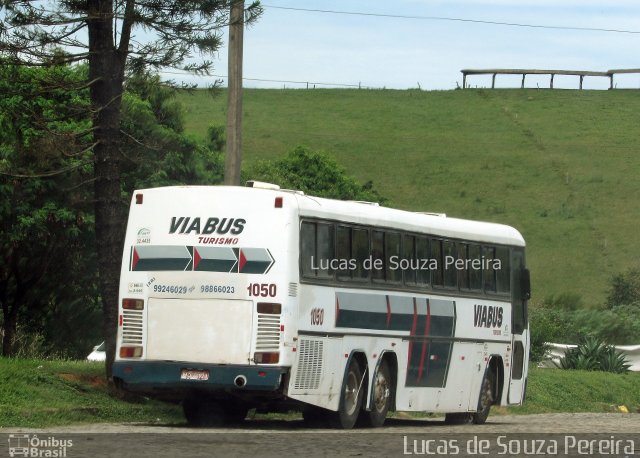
[{"x": 344, "y": 252}]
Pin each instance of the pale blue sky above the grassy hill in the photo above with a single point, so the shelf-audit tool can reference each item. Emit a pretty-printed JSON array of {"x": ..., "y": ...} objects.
[{"x": 435, "y": 39}]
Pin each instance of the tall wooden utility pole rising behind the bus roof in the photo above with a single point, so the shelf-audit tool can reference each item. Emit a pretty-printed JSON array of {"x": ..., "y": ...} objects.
[{"x": 233, "y": 157}]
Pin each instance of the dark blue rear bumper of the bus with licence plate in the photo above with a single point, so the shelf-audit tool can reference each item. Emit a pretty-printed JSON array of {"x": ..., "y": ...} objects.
[{"x": 149, "y": 376}]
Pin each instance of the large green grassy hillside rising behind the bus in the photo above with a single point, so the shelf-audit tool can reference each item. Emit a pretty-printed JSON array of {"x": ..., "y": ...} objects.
[{"x": 562, "y": 166}]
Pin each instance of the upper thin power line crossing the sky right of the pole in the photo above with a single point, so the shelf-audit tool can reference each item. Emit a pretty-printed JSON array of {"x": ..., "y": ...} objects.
[{"x": 454, "y": 19}]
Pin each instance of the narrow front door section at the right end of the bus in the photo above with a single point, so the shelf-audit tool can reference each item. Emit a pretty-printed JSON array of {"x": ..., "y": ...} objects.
[{"x": 520, "y": 293}]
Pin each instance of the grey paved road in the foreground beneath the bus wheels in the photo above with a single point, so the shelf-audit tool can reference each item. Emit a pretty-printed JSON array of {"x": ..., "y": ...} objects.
[{"x": 519, "y": 435}]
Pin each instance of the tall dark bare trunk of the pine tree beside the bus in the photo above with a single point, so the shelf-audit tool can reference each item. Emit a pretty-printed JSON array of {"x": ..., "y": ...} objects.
[{"x": 106, "y": 69}]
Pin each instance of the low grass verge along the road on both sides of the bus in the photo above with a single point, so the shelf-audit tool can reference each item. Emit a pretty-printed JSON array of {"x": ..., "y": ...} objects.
[{"x": 39, "y": 394}]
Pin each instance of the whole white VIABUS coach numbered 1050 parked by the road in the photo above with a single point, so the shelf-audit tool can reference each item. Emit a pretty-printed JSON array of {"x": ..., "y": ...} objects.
[{"x": 235, "y": 298}]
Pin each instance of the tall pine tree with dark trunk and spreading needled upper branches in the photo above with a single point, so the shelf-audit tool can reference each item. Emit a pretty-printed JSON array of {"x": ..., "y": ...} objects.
[{"x": 170, "y": 32}]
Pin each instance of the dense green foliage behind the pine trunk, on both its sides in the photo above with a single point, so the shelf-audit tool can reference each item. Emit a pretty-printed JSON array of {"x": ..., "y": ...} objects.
[{"x": 48, "y": 286}]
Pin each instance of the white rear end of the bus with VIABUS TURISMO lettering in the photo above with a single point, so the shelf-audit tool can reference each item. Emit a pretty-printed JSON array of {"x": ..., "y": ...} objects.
[{"x": 203, "y": 298}]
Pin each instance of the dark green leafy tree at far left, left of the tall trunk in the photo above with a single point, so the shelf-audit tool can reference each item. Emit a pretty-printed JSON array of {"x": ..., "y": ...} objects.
[{"x": 45, "y": 220}]
